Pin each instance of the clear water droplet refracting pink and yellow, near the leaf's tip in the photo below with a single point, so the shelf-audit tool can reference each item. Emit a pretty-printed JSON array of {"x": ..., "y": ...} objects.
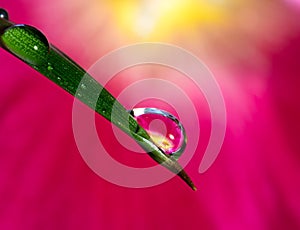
[{"x": 165, "y": 130}]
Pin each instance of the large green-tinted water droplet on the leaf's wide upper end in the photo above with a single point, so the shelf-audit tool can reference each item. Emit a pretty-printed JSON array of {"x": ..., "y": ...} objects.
[{"x": 27, "y": 43}]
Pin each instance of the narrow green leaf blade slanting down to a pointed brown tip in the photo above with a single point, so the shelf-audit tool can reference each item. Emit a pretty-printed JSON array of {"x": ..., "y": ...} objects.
[{"x": 31, "y": 46}]
